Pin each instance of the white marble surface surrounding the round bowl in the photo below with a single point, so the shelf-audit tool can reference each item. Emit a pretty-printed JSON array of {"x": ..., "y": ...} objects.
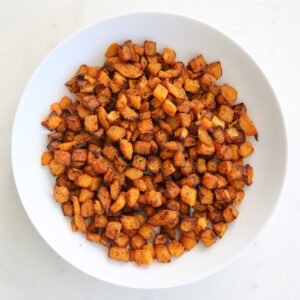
[{"x": 269, "y": 31}]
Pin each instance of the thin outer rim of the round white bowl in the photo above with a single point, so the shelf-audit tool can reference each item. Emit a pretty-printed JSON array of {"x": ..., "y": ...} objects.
[{"x": 276, "y": 102}]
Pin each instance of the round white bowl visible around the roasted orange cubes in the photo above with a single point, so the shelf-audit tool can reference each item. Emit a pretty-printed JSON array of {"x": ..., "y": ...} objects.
[{"x": 188, "y": 37}]
